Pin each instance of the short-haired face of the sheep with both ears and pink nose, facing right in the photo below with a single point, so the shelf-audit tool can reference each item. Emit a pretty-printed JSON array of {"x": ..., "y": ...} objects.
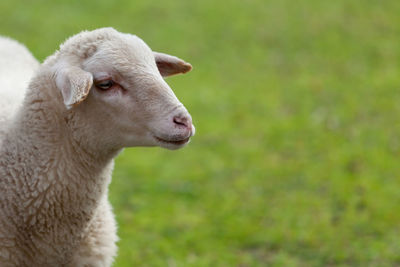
[{"x": 119, "y": 91}]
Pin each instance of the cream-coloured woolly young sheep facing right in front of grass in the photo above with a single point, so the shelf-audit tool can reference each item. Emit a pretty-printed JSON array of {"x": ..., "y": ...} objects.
[{"x": 100, "y": 92}]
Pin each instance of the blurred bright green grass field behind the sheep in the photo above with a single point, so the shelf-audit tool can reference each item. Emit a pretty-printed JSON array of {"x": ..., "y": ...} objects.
[{"x": 296, "y": 157}]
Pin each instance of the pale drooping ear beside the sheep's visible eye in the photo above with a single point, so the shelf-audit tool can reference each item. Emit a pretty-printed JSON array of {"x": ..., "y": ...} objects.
[{"x": 74, "y": 84}]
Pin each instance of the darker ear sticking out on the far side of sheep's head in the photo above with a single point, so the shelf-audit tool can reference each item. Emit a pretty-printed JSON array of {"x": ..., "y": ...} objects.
[{"x": 170, "y": 65}]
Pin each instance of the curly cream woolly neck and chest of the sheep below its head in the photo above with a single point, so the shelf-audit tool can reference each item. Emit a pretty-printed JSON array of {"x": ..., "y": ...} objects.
[{"x": 55, "y": 193}]
